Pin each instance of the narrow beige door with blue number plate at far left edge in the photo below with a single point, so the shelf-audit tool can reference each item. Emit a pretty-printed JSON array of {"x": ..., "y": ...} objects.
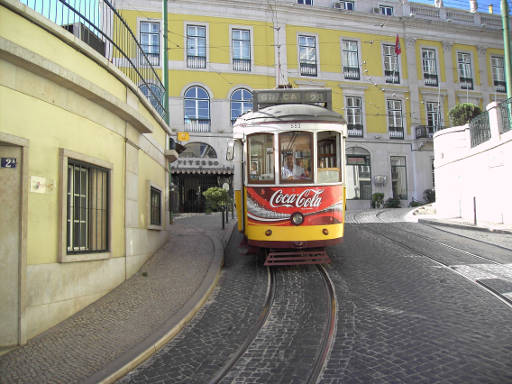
[{"x": 10, "y": 236}]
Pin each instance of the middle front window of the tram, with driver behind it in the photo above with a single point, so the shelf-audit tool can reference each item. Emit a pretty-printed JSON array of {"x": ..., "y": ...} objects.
[{"x": 295, "y": 156}]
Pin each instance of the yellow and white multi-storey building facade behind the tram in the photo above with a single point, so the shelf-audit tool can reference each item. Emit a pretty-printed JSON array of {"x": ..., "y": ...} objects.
[{"x": 394, "y": 84}]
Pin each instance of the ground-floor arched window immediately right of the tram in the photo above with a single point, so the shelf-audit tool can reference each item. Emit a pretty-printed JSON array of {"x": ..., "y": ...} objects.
[{"x": 358, "y": 180}]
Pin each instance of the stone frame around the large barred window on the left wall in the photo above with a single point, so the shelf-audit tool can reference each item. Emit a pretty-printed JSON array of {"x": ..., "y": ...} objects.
[{"x": 64, "y": 157}]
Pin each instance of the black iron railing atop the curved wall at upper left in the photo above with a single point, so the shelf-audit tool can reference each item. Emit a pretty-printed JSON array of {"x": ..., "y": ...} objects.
[{"x": 99, "y": 24}]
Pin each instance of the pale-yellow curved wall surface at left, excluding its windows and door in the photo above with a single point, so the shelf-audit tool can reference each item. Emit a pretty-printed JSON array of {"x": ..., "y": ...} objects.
[{"x": 99, "y": 115}]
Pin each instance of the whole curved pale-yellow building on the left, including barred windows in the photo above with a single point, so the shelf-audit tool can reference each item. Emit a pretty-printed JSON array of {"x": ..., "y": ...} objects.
[{"x": 83, "y": 177}]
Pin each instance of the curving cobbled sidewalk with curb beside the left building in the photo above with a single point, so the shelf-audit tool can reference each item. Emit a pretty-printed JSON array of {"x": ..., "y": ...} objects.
[{"x": 109, "y": 337}]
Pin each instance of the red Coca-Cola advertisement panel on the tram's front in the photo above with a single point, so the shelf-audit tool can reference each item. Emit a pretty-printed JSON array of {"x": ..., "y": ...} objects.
[{"x": 275, "y": 205}]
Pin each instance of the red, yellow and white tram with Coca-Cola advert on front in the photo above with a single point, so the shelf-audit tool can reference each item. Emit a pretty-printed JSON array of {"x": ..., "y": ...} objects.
[{"x": 289, "y": 161}]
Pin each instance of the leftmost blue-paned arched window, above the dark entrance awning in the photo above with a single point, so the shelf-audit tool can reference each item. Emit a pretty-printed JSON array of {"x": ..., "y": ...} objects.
[{"x": 197, "y": 110}]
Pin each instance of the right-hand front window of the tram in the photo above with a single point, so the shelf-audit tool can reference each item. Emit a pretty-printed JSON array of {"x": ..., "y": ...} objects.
[{"x": 329, "y": 169}]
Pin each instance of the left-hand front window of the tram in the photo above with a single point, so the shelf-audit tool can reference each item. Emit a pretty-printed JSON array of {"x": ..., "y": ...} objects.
[{"x": 261, "y": 158}]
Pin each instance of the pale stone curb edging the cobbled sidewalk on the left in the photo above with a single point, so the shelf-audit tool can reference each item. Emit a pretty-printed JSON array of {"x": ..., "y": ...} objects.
[{"x": 170, "y": 328}]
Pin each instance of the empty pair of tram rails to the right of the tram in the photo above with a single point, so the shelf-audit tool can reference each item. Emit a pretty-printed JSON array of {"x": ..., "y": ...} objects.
[{"x": 504, "y": 299}]
